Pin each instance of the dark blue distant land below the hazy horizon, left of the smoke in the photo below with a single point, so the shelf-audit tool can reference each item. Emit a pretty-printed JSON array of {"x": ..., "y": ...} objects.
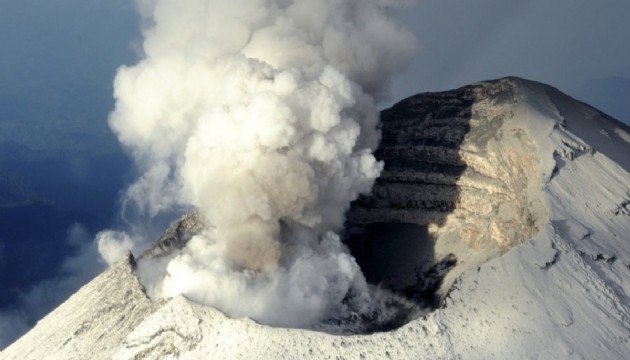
[{"x": 41, "y": 197}]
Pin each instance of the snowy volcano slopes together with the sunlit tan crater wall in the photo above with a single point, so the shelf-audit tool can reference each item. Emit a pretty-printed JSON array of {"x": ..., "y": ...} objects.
[{"x": 563, "y": 294}]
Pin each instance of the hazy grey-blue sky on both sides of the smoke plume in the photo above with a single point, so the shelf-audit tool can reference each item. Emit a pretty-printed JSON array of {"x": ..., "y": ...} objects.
[{"x": 58, "y": 59}]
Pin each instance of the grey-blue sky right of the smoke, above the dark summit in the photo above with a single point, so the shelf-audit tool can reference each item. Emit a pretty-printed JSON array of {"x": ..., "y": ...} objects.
[{"x": 579, "y": 46}]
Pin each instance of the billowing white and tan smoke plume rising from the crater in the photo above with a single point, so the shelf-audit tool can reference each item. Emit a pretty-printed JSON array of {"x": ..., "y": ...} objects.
[{"x": 260, "y": 114}]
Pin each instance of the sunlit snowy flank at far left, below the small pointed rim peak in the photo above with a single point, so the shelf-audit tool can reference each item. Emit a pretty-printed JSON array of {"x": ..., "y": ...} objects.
[{"x": 94, "y": 320}]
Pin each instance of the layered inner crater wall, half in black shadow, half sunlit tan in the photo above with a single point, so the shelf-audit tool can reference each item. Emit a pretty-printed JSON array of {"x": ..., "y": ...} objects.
[{"x": 459, "y": 165}]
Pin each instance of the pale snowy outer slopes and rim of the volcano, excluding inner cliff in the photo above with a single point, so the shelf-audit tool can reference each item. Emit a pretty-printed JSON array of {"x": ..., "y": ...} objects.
[{"x": 564, "y": 294}]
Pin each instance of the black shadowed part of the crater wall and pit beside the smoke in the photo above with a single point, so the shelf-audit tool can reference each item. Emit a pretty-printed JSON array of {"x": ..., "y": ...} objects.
[{"x": 388, "y": 231}]
